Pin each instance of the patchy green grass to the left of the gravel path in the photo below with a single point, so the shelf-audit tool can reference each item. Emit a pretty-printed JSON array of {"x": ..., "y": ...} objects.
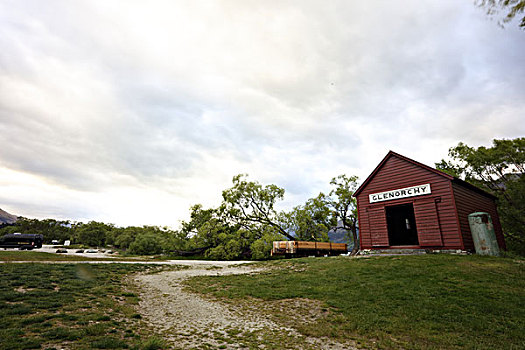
[{"x": 78, "y": 306}]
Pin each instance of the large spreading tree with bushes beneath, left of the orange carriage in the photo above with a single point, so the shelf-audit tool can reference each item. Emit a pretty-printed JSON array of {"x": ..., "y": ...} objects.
[{"x": 243, "y": 226}]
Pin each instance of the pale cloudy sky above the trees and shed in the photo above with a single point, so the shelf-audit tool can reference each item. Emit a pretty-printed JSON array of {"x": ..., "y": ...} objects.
[{"x": 129, "y": 112}]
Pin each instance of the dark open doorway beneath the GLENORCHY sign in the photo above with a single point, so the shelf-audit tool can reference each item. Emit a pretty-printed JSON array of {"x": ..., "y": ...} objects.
[{"x": 401, "y": 224}]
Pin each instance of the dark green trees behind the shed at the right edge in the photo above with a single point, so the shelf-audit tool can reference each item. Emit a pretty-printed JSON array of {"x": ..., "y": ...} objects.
[{"x": 500, "y": 170}]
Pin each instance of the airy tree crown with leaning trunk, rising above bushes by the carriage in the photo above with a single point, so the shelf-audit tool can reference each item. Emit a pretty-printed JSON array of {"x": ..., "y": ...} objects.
[{"x": 251, "y": 206}]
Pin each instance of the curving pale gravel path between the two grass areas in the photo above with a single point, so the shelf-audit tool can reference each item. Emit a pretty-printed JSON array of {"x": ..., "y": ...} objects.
[{"x": 188, "y": 320}]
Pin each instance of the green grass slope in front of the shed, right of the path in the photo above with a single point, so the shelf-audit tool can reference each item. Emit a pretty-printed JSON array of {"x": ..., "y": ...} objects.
[{"x": 409, "y": 302}]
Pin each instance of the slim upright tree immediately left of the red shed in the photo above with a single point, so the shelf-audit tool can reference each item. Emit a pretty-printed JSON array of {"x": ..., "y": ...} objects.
[{"x": 344, "y": 205}]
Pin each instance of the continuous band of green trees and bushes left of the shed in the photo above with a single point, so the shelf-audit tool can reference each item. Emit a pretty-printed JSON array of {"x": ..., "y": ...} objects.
[{"x": 242, "y": 227}]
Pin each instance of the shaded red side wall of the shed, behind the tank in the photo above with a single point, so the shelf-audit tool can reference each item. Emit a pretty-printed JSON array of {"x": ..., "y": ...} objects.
[{"x": 468, "y": 202}]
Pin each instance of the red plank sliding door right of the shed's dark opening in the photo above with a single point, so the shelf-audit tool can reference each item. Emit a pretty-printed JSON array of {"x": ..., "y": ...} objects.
[{"x": 427, "y": 221}]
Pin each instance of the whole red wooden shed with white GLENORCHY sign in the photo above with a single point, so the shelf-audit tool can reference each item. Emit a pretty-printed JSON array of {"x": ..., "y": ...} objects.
[{"x": 404, "y": 204}]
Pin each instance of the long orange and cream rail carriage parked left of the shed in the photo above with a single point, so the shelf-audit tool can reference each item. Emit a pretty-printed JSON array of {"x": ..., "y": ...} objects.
[{"x": 305, "y": 248}]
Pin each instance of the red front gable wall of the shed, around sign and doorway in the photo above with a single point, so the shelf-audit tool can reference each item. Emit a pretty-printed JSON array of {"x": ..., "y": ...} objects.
[{"x": 435, "y": 213}]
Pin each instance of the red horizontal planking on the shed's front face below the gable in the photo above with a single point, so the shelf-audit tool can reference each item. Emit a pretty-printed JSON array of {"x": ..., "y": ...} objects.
[{"x": 398, "y": 173}]
